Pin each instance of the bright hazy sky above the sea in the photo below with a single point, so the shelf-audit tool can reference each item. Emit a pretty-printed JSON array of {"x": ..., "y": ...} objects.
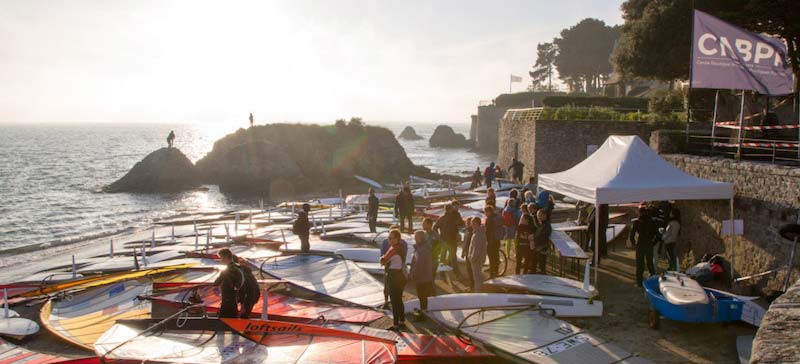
[{"x": 165, "y": 61}]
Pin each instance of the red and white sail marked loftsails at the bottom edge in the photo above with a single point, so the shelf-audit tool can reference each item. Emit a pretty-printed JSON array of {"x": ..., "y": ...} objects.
[{"x": 249, "y": 341}]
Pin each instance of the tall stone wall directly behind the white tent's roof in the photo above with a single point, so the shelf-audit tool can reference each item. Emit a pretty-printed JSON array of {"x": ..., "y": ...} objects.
[{"x": 547, "y": 146}]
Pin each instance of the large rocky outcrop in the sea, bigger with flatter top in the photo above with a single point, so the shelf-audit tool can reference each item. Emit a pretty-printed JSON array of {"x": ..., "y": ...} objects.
[{"x": 284, "y": 159}]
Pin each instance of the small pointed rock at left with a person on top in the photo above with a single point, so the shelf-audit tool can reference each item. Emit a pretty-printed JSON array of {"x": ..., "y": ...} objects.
[{"x": 165, "y": 170}]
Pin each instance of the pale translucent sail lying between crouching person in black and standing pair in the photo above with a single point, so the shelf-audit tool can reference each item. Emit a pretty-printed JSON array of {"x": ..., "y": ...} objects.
[{"x": 329, "y": 276}]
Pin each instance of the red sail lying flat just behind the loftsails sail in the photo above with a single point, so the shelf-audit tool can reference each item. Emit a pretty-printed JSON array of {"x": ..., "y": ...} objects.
[{"x": 281, "y": 306}]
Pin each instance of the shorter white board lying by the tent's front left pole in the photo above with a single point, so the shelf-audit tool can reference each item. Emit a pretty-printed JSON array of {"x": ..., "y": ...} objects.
[{"x": 543, "y": 284}]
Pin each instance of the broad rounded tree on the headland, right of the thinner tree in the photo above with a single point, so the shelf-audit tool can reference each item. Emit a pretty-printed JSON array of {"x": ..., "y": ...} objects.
[{"x": 583, "y": 53}]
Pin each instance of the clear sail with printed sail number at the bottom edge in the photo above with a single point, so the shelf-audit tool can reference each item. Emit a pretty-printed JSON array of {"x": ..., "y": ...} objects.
[{"x": 531, "y": 335}]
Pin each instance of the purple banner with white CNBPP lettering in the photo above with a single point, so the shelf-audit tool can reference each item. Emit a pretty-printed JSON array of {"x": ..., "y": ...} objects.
[{"x": 725, "y": 56}]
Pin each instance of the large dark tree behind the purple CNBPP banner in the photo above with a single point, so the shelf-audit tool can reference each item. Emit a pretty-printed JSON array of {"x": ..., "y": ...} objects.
[{"x": 656, "y": 37}]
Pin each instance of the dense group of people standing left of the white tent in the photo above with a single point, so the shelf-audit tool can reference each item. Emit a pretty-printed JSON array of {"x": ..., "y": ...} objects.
[{"x": 522, "y": 226}]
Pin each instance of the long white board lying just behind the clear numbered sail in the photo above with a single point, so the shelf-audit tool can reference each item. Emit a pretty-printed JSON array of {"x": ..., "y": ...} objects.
[{"x": 563, "y": 306}]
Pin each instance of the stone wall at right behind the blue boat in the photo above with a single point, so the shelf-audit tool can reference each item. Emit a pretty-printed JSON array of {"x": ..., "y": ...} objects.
[{"x": 766, "y": 197}]
